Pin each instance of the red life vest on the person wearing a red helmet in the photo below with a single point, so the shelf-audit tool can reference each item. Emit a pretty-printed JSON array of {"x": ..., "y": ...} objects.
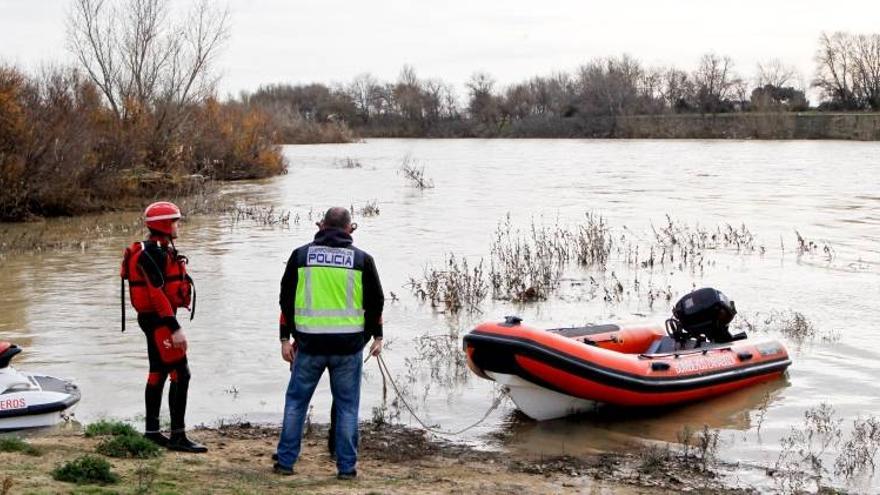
[{"x": 177, "y": 286}]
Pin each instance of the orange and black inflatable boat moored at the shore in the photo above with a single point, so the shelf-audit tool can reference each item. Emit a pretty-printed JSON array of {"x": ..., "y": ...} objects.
[{"x": 557, "y": 372}]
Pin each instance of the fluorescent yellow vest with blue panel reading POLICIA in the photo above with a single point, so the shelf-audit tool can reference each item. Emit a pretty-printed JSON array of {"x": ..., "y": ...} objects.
[{"x": 329, "y": 296}]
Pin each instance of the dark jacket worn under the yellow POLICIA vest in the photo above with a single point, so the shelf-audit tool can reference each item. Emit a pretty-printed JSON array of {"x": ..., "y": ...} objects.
[{"x": 374, "y": 299}]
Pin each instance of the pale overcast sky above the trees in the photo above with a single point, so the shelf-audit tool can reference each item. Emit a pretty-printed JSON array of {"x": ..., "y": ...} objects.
[{"x": 332, "y": 41}]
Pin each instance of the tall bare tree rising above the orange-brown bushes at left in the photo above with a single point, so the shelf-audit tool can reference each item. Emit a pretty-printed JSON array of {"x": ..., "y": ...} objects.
[{"x": 141, "y": 60}]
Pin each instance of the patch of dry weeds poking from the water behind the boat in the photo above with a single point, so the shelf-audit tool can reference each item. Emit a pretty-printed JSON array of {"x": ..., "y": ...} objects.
[{"x": 533, "y": 264}]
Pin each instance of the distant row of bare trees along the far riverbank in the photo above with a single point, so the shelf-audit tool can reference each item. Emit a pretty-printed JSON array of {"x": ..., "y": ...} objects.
[{"x": 847, "y": 75}]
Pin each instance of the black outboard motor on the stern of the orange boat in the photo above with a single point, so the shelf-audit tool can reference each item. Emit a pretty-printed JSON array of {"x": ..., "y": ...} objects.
[{"x": 704, "y": 314}]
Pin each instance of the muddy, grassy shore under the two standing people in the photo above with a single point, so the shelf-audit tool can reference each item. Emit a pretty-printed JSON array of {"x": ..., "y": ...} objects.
[{"x": 393, "y": 459}]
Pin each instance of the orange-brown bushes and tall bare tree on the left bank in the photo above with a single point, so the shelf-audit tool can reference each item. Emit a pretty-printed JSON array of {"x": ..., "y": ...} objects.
[{"x": 136, "y": 117}]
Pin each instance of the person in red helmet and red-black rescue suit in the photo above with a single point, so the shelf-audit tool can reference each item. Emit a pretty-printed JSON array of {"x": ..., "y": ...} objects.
[{"x": 158, "y": 286}]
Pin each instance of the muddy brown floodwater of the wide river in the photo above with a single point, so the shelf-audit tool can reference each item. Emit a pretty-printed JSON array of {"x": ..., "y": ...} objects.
[{"x": 63, "y": 306}]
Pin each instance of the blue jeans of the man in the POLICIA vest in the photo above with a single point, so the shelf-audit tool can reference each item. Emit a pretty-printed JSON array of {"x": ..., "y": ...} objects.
[{"x": 345, "y": 384}]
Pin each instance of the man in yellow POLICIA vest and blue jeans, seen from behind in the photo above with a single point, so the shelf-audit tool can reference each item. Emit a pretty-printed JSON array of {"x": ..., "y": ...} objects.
[{"x": 331, "y": 304}]
